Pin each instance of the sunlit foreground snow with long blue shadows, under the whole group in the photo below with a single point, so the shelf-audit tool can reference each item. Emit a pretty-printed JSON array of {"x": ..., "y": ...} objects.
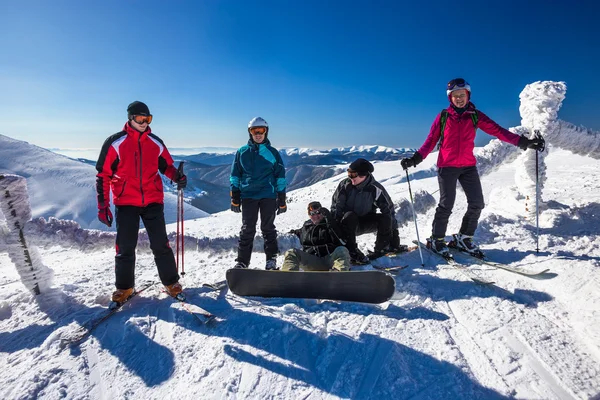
[{"x": 440, "y": 337}]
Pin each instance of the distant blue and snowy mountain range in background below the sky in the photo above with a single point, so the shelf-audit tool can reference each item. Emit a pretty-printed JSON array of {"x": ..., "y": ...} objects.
[{"x": 64, "y": 187}]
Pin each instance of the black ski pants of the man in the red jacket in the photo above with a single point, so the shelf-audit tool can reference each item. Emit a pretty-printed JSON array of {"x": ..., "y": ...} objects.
[{"x": 128, "y": 225}]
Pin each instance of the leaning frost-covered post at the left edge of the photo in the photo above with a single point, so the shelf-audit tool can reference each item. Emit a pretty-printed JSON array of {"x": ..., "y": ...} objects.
[{"x": 14, "y": 202}]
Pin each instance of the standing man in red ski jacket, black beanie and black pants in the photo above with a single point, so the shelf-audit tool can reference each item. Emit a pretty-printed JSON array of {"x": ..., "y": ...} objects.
[{"x": 129, "y": 165}]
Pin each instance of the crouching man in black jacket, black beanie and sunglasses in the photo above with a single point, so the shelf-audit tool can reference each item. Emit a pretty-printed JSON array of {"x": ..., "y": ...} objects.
[{"x": 354, "y": 206}]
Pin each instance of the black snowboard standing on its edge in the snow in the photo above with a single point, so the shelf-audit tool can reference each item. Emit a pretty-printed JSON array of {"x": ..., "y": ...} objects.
[{"x": 360, "y": 286}]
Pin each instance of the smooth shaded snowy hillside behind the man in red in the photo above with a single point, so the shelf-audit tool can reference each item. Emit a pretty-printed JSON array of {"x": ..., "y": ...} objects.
[{"x": 62, "y": 187}]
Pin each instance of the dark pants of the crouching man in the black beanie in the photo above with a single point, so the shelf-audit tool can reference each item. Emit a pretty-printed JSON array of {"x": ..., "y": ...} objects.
[{"x": 385, "y": 226}]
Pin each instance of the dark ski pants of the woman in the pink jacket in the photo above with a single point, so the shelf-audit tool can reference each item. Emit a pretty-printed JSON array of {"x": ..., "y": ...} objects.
[{"x": 469, "y": 180}]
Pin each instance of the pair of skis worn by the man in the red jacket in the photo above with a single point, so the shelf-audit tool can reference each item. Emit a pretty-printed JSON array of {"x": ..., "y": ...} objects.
[{"x": 199, "y": 313}]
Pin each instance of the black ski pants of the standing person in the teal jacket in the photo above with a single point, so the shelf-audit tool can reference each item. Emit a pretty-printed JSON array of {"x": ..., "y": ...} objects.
[{"x": 250, "y": 210}]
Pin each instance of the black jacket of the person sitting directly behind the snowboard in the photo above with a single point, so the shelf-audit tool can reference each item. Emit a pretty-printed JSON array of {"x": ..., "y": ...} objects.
[{"x": 321, "y": 239}]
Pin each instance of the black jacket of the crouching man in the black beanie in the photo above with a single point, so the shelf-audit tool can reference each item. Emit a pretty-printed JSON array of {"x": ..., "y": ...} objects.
[{"x": 363, "y": 199}]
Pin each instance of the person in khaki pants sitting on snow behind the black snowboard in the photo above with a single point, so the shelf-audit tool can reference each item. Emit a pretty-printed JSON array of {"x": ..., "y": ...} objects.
[{"x": 322, "y": 244}]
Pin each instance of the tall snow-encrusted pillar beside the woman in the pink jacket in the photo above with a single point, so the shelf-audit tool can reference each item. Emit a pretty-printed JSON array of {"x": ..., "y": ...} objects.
[{"x": 540, "y": 102}]
